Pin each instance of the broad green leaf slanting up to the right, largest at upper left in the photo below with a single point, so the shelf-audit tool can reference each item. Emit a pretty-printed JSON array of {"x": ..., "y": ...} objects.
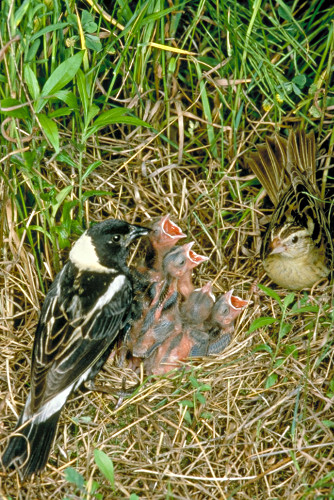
[{"x": 62, "y": 75}]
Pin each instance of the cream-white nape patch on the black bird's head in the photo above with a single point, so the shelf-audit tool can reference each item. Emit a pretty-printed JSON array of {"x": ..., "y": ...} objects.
[{"x": 84, "y": 257}]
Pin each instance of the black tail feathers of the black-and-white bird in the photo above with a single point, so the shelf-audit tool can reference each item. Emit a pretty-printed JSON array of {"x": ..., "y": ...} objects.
[{"x": 29, "y": 449}]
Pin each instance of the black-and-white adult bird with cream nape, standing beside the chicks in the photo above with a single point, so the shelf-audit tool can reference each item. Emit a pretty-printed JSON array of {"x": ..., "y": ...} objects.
[{"x": 81, "y": 319}]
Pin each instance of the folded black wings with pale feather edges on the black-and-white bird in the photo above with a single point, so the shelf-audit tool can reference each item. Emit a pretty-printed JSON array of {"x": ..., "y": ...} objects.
[{"x": 67, "y": 346}]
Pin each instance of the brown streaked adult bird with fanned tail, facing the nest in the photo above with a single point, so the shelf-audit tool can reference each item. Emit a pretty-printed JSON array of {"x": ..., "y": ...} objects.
[{"x": 297, "y": 248}]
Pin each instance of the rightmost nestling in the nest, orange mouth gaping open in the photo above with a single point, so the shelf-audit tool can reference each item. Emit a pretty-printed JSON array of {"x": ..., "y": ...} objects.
[{"x": 221, "y": 322}]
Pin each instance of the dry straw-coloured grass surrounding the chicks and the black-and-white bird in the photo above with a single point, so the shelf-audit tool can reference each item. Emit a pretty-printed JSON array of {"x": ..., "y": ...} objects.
[{"x": 252, "y": 441}]
